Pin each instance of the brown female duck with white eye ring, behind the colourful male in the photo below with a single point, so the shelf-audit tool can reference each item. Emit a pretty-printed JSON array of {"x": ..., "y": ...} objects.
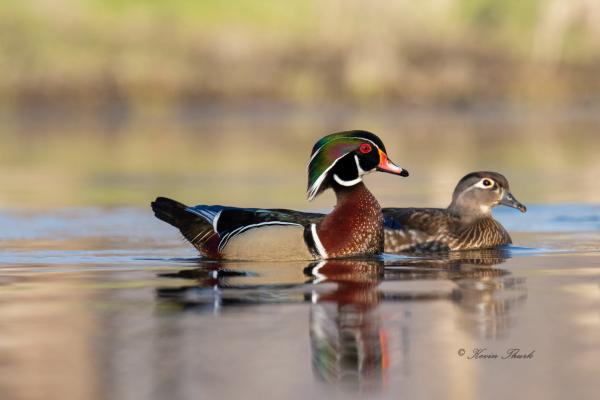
[{"x": 466, "y": 224}]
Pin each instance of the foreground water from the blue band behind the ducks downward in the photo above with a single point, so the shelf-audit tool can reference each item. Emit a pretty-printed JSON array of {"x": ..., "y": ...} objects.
[{"x": 109, "y": 303}]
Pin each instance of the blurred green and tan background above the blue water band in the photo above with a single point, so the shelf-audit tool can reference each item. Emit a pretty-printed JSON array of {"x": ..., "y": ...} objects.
[{"x": 112, "y": 102}]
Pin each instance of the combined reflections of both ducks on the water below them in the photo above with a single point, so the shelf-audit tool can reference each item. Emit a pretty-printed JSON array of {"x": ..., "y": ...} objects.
[{"x": 354, "y": 340}]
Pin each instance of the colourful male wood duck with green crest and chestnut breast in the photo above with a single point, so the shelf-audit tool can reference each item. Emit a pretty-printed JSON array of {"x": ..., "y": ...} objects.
[{"x": 354, "y": 227}]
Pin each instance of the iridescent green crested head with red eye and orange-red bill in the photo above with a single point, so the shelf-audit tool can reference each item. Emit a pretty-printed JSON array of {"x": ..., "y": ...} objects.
[{"x": 343, "y": 158}]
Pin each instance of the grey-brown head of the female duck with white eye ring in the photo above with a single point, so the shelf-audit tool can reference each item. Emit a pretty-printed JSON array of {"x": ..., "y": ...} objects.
[{"x": 478, "y": 192}]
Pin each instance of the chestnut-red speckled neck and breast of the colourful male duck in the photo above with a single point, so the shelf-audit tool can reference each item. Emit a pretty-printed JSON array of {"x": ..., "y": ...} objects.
[{"x": 355, "y": 226}]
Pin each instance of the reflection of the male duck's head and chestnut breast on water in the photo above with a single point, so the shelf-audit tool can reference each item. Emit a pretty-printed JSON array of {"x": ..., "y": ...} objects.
[{"x": 349, "y": 341}]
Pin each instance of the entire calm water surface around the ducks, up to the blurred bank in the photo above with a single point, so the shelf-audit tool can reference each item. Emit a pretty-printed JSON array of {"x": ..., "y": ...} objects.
[{"x": 110, "y": 303}]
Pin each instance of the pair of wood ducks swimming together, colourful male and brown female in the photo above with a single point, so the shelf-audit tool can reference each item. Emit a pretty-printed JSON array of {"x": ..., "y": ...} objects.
[{"x": 355, "y": 227}]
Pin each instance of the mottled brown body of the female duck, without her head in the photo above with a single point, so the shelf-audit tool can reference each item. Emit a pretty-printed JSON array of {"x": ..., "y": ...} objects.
[{"x": 436, "y": 229}]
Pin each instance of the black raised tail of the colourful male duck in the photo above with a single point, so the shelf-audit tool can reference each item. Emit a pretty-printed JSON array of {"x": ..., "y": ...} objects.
[{"x": 192, "y": 226}]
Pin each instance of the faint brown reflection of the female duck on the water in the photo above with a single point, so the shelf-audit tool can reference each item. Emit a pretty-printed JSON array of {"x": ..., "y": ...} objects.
[{"x": 485, "y": 295}]
